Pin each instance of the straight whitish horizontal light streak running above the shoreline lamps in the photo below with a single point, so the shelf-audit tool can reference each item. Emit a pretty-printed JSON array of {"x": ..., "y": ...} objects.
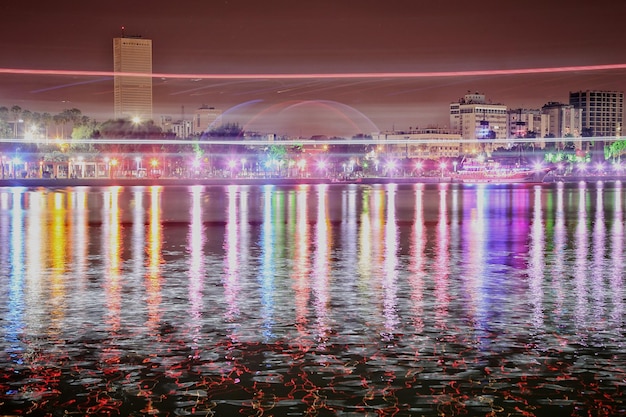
[{"x": 295, "y": 142}]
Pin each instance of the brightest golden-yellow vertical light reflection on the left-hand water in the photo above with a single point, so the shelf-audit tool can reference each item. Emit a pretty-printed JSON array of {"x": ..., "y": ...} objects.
[{"x": 58, "y": 248}]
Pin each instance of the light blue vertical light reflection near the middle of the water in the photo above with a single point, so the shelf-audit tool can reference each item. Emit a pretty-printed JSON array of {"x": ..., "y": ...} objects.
[{"x": 267, "y": 263}]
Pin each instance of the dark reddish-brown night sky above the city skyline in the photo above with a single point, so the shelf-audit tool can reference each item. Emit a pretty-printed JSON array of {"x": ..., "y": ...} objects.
[{"x": 323, "y": 36}]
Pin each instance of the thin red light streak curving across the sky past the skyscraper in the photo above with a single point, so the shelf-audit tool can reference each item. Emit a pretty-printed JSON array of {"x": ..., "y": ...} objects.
[{"x": 351, "y": 75}]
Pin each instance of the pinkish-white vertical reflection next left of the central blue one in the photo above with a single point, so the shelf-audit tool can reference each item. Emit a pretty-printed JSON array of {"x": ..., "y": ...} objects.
[{"x": 231, "y": 246}]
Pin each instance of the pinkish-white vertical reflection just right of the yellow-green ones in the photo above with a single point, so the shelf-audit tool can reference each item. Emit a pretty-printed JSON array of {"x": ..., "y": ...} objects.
[{"x": 390, "y": 269}]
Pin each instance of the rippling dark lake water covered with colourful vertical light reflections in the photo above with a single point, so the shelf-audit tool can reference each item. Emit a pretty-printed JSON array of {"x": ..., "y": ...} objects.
[{"x": 313, "y": 300}]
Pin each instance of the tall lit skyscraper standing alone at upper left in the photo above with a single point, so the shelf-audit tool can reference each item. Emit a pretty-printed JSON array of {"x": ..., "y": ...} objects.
[{"x": 132, "y": 94}]
